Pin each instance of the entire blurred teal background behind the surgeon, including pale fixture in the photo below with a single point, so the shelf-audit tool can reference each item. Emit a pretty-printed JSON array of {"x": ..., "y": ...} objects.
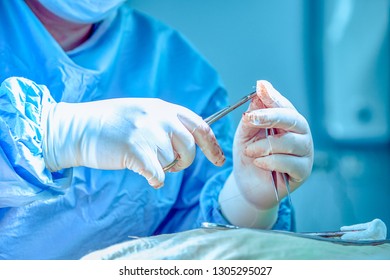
[{"x": 331, "y": 59}]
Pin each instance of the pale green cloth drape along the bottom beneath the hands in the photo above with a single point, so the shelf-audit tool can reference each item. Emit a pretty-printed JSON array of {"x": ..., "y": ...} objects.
[{"x": 214, "y": 244}]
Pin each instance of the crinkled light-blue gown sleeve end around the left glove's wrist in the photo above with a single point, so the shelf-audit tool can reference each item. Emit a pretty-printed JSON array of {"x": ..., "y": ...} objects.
[{"x": 24, "y": 177}]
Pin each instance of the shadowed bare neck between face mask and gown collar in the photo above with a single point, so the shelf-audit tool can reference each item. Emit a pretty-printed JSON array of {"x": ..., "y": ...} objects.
[{"x": 68, "y": 34}]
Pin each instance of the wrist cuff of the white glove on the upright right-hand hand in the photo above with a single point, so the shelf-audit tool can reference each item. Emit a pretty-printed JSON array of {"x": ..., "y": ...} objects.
[{"x": 238, "y": 211}]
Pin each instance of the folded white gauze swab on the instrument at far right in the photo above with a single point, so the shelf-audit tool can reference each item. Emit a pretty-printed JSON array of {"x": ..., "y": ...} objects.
[{"x": 374, "y": 230}]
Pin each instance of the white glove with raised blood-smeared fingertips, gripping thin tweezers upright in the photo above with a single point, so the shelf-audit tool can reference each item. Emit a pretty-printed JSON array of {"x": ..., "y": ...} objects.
[{"x": 289, "y": 151}]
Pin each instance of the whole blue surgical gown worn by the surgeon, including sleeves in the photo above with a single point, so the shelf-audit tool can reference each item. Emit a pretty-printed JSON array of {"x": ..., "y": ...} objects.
[{"x": 68, "y": 214}]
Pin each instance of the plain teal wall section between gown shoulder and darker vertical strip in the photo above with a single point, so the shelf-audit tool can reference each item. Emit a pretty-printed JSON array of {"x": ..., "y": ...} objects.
[{"x": 245, "y": 40}]
